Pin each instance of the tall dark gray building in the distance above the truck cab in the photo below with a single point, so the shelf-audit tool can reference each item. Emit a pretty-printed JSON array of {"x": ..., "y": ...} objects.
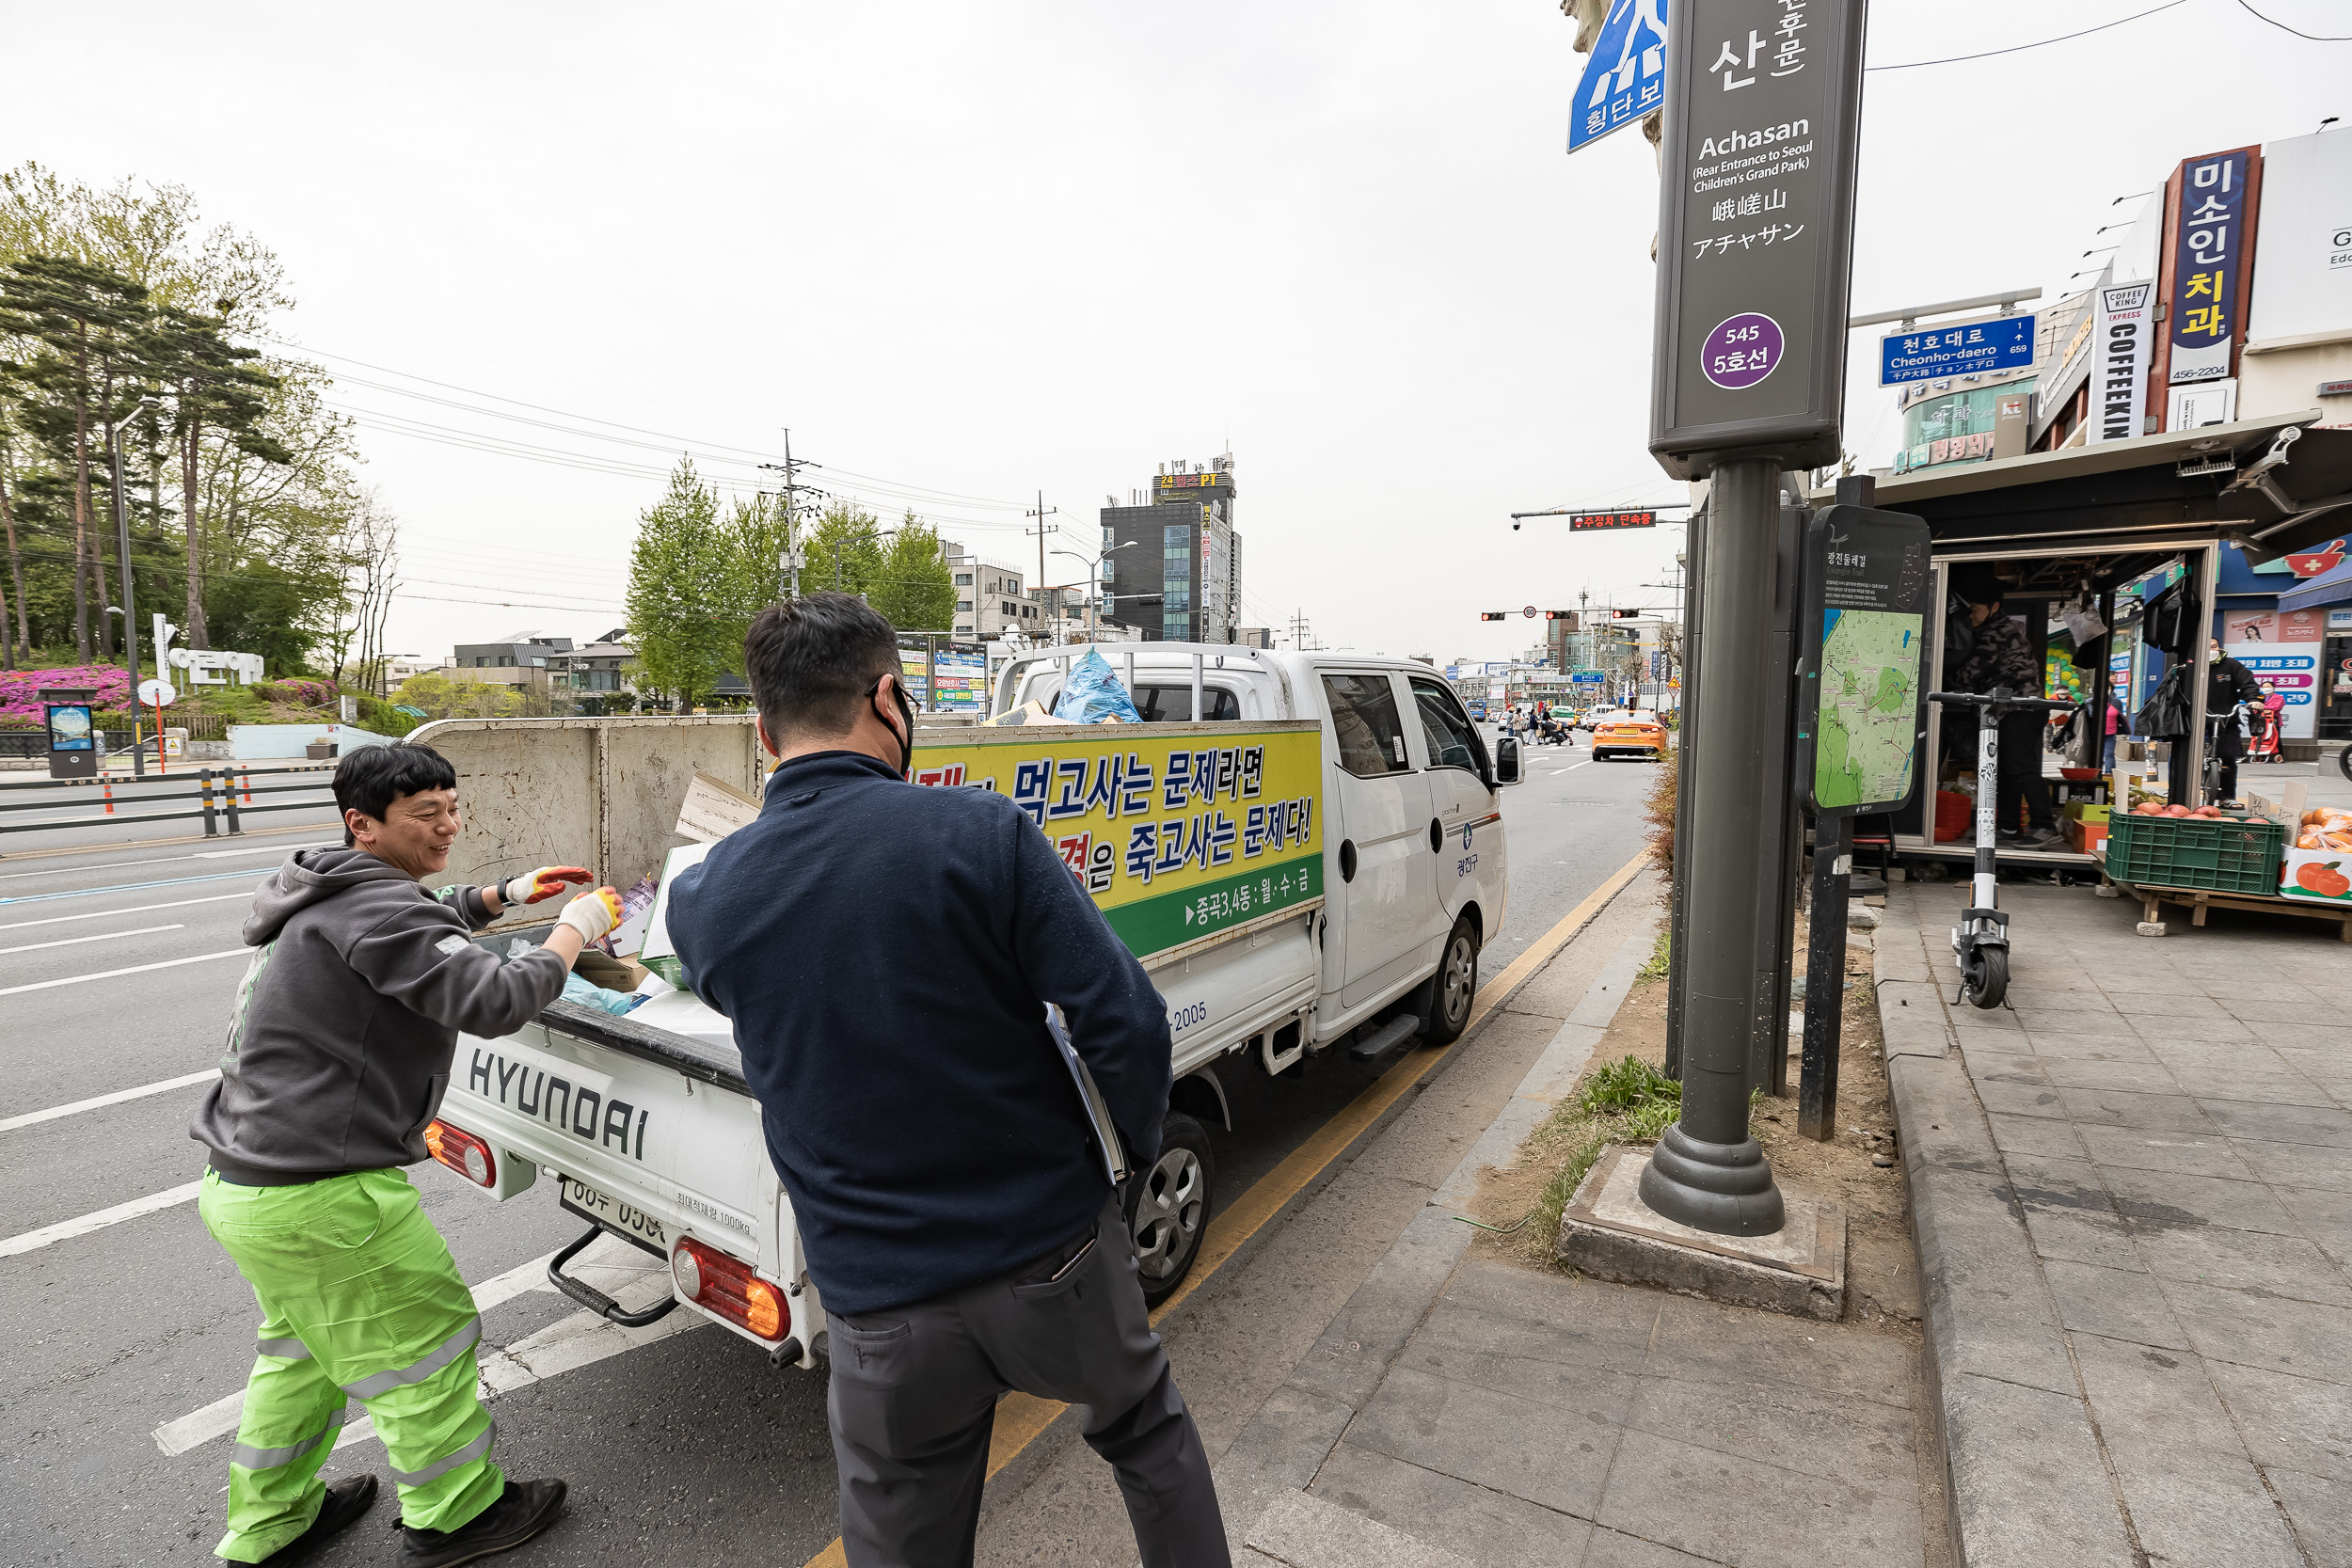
[{"x": 1172, "y": 565}]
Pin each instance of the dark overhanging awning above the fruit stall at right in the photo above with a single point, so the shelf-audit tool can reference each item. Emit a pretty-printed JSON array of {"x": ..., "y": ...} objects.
[{"x": 2271, "y": 485}]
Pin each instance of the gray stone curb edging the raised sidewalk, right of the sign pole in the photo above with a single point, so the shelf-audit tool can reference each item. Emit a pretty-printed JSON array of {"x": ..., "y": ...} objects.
[{"x": 2026, "y": 1475}]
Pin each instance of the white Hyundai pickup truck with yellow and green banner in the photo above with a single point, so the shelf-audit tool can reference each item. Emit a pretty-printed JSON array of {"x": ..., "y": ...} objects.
[{"x": 1304, "y": 850}]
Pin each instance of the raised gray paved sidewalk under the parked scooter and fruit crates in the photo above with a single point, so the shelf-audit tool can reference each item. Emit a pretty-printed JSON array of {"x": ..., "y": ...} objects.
[{"x": 2132, "y": 1200}]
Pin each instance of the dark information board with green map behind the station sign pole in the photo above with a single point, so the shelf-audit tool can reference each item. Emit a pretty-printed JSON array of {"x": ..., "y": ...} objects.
[{"x": 1859, "y": 699}]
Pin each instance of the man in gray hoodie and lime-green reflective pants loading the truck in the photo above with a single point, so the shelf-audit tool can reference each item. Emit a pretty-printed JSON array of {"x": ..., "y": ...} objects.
[{"x": 338, "y": 1061}]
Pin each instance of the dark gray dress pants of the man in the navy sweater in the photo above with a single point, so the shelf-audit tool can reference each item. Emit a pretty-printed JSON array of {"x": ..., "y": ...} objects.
[{"x": 916, "y": 1393}]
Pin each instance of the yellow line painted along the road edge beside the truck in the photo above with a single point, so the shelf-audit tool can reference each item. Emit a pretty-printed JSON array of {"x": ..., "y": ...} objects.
[{"x": 1024, "y": 1416}]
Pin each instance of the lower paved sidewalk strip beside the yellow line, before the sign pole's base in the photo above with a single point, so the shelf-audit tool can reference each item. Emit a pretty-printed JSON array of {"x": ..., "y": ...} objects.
[{"x": 1464, "y": 1412}]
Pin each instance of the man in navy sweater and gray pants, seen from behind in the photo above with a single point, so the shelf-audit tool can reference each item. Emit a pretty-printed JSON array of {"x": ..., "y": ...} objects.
[{"x": 888, "y": 956}]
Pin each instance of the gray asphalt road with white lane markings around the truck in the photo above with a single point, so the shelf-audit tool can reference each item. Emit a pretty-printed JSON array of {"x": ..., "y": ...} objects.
[{"x": 681, "y": 1445}]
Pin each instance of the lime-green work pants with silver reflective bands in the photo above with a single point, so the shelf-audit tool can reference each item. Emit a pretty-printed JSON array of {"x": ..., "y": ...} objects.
[{"x": 359, "y": 1301}]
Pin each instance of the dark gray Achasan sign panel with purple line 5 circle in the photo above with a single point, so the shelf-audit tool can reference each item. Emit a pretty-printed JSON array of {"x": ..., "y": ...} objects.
[{"x": 1756, "y": 232}]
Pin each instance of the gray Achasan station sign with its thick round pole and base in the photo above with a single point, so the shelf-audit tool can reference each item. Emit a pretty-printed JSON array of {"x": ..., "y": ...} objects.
[{"x": 1756, "y": 234}]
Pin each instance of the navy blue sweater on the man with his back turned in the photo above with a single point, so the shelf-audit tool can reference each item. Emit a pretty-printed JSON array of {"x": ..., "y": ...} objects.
[{"x": 886, "y": 953}]
